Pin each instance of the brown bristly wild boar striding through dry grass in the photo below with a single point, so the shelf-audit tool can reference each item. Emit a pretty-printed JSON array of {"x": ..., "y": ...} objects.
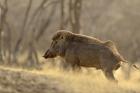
[{"x": 80, "y": 50}]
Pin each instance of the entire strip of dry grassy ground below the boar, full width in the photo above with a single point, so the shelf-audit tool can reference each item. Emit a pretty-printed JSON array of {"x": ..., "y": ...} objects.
[{"x": 54, "y": 80}]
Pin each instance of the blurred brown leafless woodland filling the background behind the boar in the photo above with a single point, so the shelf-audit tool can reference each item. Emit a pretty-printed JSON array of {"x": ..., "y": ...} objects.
[{"x": 26, "y": 26}]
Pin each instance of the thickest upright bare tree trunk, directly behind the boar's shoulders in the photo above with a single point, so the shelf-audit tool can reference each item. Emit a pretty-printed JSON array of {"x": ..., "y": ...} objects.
[{"x": 75, "y": 12}]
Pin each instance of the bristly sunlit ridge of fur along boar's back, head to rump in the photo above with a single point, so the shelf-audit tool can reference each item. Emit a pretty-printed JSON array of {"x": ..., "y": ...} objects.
[{"x": 69, "y": 36}]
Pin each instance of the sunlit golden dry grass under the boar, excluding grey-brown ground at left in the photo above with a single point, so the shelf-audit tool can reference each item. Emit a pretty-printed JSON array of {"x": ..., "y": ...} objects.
[{"x": 93, "y": 81}]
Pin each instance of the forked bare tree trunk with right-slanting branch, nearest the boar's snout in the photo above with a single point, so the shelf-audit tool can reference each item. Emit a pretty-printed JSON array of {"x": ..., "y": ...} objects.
[{"x": 32, "y": 55}]
